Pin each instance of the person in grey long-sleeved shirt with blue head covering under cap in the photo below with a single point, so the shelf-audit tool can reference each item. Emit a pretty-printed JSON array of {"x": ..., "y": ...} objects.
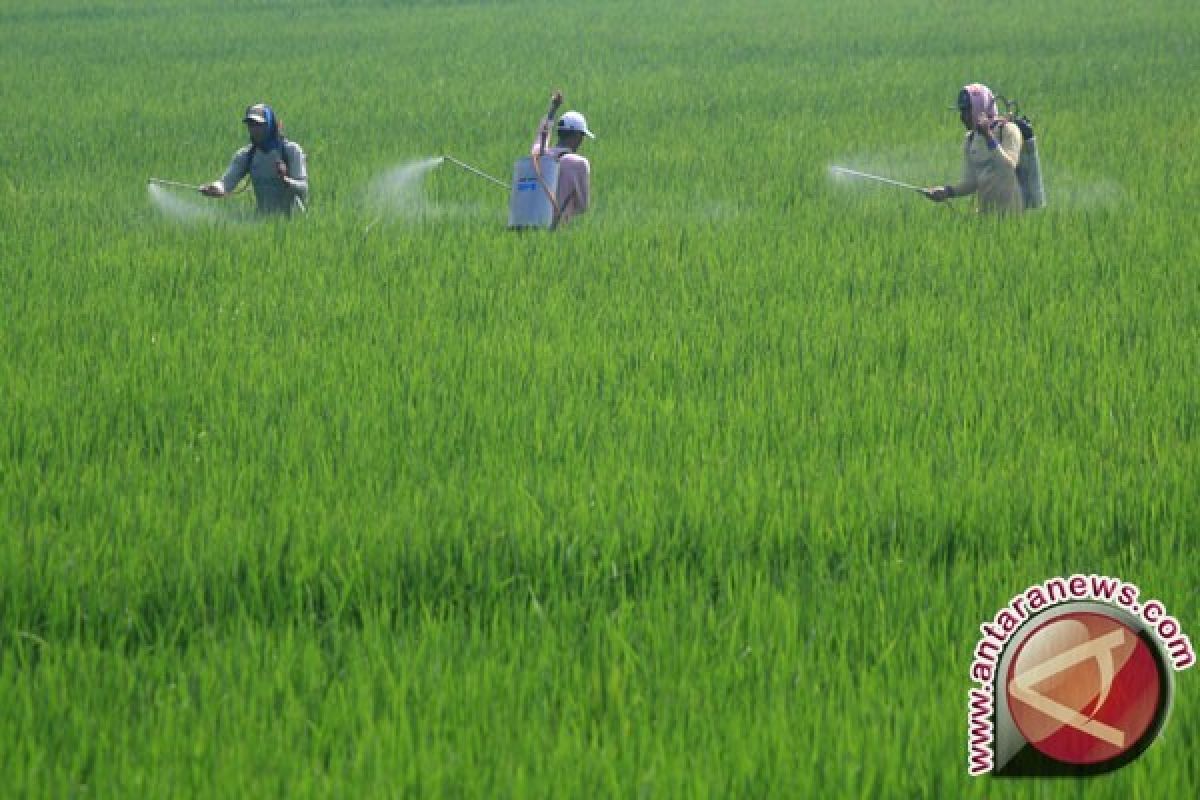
[{"x": 277, "y": 166}]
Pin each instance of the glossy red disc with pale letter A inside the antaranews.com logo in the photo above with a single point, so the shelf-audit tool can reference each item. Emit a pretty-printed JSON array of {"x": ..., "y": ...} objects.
[{"x": 1084, "y": 689}]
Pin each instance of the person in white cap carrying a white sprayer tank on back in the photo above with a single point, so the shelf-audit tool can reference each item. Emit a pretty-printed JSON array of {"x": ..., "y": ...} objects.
[{"x": 554, "y": 185}]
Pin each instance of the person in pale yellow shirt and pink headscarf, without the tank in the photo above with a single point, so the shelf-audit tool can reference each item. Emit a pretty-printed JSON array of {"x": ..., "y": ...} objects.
[{"x": 991, "y": 154}]
